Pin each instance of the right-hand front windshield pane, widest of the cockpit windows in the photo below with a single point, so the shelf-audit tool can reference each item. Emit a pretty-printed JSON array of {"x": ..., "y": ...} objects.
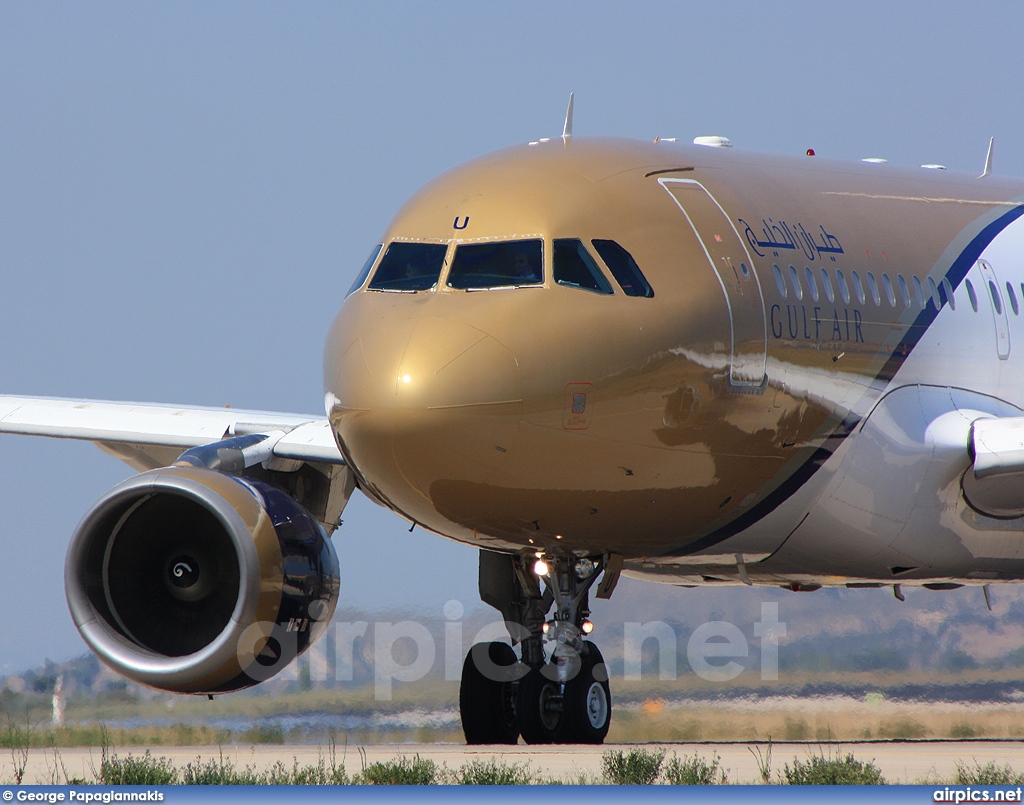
[{"x": 497, "y": 265}]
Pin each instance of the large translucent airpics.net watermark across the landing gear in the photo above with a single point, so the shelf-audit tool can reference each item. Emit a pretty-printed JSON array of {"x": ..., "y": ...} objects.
[{"x": 409, "y": 651}]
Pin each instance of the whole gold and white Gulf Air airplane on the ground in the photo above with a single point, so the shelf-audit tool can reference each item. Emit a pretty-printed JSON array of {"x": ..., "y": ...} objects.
[{"x": 588, "y": 358}]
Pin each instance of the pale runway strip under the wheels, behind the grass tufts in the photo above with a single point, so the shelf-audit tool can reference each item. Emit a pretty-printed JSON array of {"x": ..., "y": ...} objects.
[{"x": 903, "y": 761}]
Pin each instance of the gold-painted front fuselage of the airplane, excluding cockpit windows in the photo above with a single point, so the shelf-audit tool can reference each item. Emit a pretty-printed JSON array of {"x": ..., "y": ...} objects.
[{"x": 455, "y": 408}]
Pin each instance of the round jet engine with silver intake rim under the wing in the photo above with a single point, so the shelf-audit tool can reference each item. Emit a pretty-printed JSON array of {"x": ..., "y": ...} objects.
[{"x": 197, "y": 582}]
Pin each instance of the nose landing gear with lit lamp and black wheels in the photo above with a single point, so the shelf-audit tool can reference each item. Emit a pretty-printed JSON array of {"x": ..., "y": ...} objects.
[{"x": 559, "y": 692}]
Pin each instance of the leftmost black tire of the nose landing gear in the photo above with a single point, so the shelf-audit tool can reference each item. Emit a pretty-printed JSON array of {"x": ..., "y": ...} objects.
[{"x": 487, "y": 696}]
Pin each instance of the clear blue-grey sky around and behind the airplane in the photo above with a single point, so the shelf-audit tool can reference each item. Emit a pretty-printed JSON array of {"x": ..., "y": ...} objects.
[{"x": 187, "y": 191}]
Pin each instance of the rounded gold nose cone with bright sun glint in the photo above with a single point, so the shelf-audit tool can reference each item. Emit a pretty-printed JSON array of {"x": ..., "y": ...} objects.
[{"x": 424, "y": 402}]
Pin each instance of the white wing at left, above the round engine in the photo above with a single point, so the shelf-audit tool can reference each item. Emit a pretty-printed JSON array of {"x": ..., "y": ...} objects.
[{"x": 147, "y": 436}]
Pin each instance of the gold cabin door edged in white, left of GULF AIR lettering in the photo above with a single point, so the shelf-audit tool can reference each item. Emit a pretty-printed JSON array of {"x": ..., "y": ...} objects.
[{"x": 735, "y": 270}]
